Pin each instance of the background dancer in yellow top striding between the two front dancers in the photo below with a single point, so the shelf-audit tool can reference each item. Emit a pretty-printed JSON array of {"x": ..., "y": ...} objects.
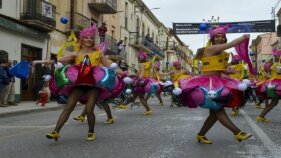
[{"x": 142, "y": 83}]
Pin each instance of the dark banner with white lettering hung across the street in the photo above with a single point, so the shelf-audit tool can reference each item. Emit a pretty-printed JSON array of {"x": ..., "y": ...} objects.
[{"x": 236, "y": 27}]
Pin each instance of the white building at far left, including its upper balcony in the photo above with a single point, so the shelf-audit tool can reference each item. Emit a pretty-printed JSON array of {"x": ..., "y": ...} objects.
[{"x": 24, "y": 27}]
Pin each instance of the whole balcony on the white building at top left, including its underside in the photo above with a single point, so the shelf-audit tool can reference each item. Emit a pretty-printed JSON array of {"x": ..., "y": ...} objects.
[{"x": 39, "y": 13}]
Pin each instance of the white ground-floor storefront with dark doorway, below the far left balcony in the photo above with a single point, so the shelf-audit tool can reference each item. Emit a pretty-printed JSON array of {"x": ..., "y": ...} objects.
[{"x": 23, "y": 42}]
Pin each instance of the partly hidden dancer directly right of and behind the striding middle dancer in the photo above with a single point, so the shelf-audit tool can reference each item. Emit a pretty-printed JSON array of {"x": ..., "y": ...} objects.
[{"x": 156, "y": 75}]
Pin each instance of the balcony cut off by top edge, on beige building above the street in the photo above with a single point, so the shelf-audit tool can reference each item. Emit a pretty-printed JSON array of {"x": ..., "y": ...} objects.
[{"x": 104, "y": 6}]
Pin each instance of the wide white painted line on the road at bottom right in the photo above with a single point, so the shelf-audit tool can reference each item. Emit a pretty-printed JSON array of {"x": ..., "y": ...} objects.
[{"x": 268, "y": 143}]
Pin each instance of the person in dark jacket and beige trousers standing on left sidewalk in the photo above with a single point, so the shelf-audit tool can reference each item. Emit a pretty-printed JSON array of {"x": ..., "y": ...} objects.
[{"x": 9, "y": 96}]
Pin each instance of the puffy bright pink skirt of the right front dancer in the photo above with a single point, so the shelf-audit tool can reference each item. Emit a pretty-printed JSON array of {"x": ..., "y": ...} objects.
[{"x": 211, "y": 91}]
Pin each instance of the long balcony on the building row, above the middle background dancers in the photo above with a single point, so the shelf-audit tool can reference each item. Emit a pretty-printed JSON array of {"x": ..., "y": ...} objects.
[{"x": 148, "y": 46}]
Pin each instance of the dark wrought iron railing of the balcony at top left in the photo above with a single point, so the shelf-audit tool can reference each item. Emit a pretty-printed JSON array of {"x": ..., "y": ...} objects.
[{"x": 39, "y": 10}]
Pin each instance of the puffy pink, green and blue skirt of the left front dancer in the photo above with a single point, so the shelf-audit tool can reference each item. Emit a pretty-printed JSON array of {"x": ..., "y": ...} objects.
[{"x": 105, "y": 79}]
